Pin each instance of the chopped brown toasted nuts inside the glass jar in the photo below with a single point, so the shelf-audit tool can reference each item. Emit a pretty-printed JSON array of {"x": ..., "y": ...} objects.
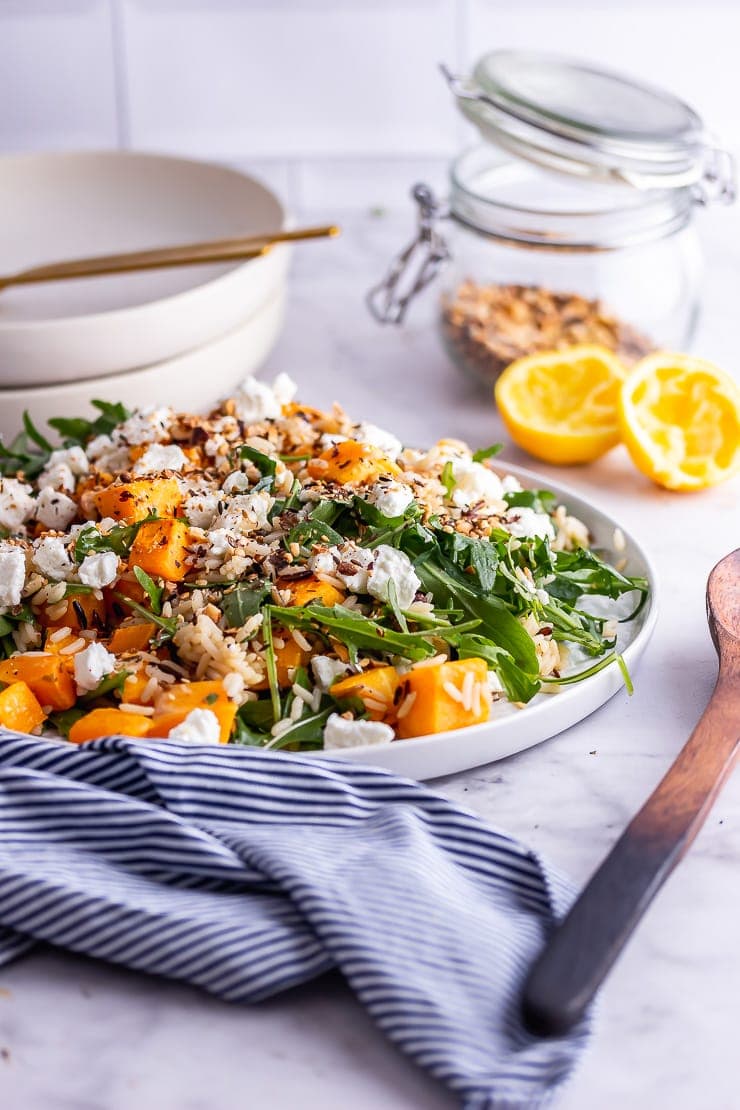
[{"x": 486, "y": 328}]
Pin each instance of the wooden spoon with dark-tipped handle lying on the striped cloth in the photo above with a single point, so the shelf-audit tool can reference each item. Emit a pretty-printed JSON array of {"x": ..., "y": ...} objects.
[{"x": 583, "y": 948}]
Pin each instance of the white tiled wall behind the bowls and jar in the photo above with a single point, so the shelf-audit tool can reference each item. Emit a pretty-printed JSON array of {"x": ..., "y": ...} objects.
[{"x": 334, "y": 103}]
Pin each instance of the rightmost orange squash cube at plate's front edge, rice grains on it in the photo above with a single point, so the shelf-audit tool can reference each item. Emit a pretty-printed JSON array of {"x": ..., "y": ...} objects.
[{"x": 434, "y": 709}]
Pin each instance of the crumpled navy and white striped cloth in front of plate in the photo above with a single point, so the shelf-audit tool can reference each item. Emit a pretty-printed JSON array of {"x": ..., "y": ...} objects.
[{"x": 247, "y": 872}]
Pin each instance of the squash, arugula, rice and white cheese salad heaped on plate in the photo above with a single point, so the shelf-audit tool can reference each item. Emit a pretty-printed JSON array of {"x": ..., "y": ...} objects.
[{"x": 280, "y": 577}]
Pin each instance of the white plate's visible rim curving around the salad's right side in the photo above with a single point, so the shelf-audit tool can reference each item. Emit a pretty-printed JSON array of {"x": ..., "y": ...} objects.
[{"x": 548, "y": 714}]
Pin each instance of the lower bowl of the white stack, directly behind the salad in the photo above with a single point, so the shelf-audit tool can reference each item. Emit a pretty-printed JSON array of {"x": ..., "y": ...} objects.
[{"x": 192, "y": 382}]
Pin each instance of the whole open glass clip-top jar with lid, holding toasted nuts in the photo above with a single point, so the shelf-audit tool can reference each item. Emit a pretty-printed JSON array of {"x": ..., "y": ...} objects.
[{"x": 571, "y": 225}]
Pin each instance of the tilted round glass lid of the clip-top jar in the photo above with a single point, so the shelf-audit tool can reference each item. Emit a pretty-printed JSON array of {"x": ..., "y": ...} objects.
[{"x": 576, "y": 119}]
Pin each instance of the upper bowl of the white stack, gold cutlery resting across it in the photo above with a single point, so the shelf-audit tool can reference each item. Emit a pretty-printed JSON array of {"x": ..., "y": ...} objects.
[{"x": 57, "y": 207}]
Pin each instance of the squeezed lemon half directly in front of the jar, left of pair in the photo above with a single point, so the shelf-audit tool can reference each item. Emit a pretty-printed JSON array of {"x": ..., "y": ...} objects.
[{"x": 562, "y": 406}]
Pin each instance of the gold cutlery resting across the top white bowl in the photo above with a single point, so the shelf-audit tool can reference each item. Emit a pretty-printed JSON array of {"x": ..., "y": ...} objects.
[{"x": 218, "y": 250}]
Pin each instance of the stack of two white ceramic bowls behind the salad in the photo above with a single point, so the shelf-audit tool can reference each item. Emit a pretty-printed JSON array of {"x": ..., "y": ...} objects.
[{"x": 183, "y": 337}]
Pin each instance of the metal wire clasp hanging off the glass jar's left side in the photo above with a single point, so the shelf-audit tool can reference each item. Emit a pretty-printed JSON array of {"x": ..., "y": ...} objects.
[{"x": 417, "y": 267}]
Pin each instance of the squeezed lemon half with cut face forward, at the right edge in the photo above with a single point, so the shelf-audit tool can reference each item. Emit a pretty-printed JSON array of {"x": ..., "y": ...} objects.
[{"x": 681, "y": 420}]
